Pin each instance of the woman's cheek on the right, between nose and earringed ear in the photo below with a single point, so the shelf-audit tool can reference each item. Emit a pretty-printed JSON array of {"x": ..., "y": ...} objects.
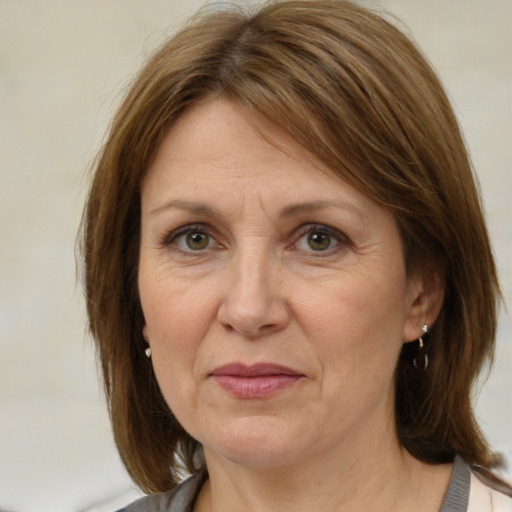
[{"x": 356, "y": 324}]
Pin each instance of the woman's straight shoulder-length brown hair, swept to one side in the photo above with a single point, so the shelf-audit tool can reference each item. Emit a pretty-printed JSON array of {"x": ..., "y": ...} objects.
[{"x": 354, "y": 91}]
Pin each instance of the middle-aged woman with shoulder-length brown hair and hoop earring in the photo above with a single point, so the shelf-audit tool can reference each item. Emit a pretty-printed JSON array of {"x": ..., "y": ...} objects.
[{"x": 284, "y": 221}]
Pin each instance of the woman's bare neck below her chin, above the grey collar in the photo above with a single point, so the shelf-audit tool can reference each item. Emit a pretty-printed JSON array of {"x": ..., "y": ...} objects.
[{"x": 361, "y": 475}]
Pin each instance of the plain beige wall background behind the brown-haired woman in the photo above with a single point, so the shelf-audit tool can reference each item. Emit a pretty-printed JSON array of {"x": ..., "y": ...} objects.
[{"x": 63, "y": 67}]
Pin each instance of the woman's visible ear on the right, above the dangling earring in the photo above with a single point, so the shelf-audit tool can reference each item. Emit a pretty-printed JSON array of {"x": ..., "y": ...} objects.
[{"x": 424, "y": 302}]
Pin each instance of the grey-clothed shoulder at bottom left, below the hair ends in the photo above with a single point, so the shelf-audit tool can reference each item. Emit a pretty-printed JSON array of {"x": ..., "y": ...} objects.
[{"x": 179, "y": 499}]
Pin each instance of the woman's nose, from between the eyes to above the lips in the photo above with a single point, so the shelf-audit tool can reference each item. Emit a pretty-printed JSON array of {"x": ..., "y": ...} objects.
[{"x": 253, "y": 304}]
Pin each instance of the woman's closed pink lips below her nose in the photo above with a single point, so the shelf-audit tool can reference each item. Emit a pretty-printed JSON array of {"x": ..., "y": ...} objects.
[{"x": 261, "y": 380}]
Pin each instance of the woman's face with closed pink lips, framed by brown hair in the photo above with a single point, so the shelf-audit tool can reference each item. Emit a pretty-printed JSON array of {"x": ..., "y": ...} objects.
[{"x": 275, "y": 295}]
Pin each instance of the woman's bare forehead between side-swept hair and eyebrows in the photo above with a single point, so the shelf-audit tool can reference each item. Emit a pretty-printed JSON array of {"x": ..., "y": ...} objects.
[{"x": 216, "y": 145}]
